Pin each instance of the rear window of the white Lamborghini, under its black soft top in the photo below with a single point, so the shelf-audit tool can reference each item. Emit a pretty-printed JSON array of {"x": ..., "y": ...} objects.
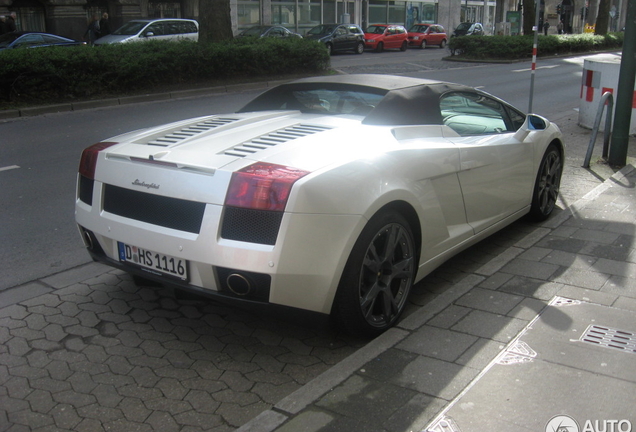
[{"x": 330, "y": 99}]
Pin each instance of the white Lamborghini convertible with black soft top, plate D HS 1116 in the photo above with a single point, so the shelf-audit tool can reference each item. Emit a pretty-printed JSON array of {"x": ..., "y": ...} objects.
[{"x": 329, "y": 194}]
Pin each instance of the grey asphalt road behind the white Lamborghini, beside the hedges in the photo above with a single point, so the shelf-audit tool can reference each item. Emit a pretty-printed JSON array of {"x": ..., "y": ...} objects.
[{"x": 39, "y": 155}]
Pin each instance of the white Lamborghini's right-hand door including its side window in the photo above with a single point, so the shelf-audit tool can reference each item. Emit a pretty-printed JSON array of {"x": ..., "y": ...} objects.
[{"x": 496, "y": 169}]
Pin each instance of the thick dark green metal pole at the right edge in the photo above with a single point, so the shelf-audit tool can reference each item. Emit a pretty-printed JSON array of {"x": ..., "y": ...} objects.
[{"x": 625, "y": 91}]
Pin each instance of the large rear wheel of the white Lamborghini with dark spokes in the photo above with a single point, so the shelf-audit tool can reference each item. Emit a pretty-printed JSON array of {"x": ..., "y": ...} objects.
[{"x": 377, "y": 278}]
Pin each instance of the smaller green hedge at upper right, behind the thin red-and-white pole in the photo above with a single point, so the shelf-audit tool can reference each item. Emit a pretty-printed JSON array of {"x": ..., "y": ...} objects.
[{"x": 520, "y": 47}]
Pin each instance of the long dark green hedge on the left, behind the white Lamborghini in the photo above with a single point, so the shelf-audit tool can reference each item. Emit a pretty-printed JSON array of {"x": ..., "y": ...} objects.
[{"x": 68, "y": 73}]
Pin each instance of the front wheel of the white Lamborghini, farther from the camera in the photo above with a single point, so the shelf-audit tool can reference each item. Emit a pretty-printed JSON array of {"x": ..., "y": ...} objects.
[{"x": 547, "y": 184}]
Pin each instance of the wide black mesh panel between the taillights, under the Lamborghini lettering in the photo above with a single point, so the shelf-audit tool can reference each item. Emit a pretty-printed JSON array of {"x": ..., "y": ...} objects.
[{"x": 167, "y": 212}]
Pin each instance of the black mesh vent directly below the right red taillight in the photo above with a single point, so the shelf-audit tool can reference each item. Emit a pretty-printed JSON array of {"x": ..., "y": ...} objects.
[{"x": 253, "y": 226}]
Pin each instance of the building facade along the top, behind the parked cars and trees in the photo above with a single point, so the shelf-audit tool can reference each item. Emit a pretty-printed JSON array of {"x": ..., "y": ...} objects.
[{"x": 70, "y": 17}]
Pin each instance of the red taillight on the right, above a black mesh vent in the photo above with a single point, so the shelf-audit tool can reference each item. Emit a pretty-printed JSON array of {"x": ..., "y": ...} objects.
[{"x": 262, "y": 186}]
